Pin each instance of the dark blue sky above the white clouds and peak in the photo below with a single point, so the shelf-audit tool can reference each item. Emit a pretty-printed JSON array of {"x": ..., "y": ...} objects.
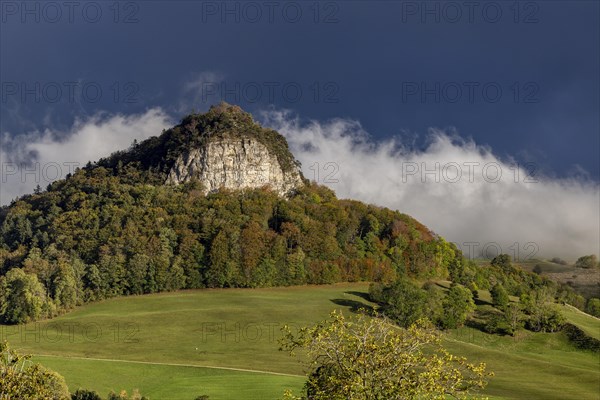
[{"x": 521, "y": 77}]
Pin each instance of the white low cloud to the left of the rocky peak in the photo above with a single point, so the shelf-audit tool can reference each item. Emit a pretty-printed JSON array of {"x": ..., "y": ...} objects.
[{"x": 41, "y": 157}]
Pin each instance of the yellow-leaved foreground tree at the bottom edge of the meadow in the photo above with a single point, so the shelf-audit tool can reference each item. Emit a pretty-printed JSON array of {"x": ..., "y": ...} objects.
[{"x": 370, "y": 358}]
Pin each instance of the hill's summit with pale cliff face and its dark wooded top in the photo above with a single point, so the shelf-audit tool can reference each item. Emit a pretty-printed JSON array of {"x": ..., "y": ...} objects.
[{"x": 222, "y": 148}]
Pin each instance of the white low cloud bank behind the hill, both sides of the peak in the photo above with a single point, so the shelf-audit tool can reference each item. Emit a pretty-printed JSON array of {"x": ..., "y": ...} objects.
[{"x": 458, "y": 188}]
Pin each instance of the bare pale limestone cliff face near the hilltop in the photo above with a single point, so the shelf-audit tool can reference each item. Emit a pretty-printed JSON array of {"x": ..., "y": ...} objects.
[{"x": 234, "y": 163}]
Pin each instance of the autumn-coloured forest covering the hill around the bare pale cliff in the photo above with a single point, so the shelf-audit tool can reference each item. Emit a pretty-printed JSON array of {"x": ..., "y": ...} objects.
[{"x": 116, "y": 228}]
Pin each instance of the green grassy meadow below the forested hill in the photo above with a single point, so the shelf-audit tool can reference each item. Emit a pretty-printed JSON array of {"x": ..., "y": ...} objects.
[{"x": 175, "y": 346}]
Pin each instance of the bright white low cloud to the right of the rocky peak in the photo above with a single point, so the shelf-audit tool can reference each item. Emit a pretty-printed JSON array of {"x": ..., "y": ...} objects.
[{"x": 458, "y": 188}]
